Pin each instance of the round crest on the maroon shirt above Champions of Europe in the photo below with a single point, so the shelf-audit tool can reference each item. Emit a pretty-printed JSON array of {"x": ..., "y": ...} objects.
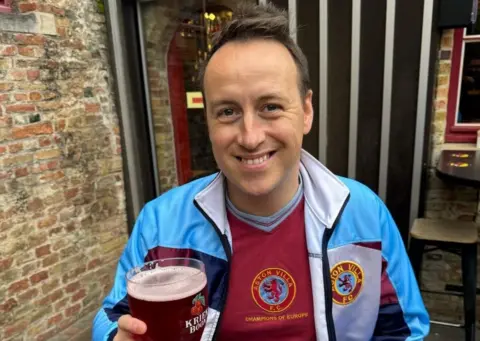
[{"x": 274, "y": 290}]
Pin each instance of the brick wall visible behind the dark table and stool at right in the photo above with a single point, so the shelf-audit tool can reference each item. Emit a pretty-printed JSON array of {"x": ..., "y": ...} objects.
[{"x": 445, "y": 202}]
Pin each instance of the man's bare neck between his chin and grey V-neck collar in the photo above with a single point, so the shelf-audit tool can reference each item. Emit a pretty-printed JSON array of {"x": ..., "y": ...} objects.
[{"x": 263, "y": 205}]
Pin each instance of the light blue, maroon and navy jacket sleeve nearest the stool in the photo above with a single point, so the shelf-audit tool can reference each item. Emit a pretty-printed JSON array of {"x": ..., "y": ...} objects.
[{"x": 402, "y": 314}]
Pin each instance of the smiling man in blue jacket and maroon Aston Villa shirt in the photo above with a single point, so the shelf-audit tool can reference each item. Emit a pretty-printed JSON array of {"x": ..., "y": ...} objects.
[{"x": 292, "y": 252}]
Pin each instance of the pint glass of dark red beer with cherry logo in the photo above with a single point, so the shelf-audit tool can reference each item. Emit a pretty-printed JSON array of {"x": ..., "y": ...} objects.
[{"x": 170, "y": 296}]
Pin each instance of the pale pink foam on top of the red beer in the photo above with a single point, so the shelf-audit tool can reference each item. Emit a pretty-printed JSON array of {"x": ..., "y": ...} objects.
[{"x": 165, "y": 284}]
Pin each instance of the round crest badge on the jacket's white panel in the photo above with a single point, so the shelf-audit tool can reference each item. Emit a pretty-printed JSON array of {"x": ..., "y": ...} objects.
[{"x": 347, "y": 282}]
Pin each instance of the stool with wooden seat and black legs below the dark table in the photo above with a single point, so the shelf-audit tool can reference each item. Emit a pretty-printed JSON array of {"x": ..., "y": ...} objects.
[{"x": 458, "y": 237}]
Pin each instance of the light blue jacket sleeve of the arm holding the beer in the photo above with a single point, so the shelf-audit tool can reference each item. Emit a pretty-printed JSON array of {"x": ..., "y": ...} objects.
[{"x": 116, "y": 303}]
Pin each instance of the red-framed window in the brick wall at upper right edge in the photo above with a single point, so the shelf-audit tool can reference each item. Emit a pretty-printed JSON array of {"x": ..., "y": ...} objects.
[{"x": 463, "y": 112}]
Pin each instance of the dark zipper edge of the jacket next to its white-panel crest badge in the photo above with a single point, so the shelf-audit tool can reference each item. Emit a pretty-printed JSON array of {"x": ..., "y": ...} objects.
[{"x": 326, "y": 276}]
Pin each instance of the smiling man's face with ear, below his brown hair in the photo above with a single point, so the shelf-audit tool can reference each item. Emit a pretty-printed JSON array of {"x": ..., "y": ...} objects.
[{"x": 256, "y": 116}]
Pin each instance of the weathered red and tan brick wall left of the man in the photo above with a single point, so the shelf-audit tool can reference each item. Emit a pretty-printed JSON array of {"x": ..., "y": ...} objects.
[{"x": 62, "y": 205}]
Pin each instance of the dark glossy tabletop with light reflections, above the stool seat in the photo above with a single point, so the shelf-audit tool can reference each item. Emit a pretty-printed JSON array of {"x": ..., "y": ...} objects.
[{"x": 460, "y": 166}]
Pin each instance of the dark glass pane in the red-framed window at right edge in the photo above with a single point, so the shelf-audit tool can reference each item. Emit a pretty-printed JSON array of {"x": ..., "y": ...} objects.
[{"x": 469, "y": 107}]
